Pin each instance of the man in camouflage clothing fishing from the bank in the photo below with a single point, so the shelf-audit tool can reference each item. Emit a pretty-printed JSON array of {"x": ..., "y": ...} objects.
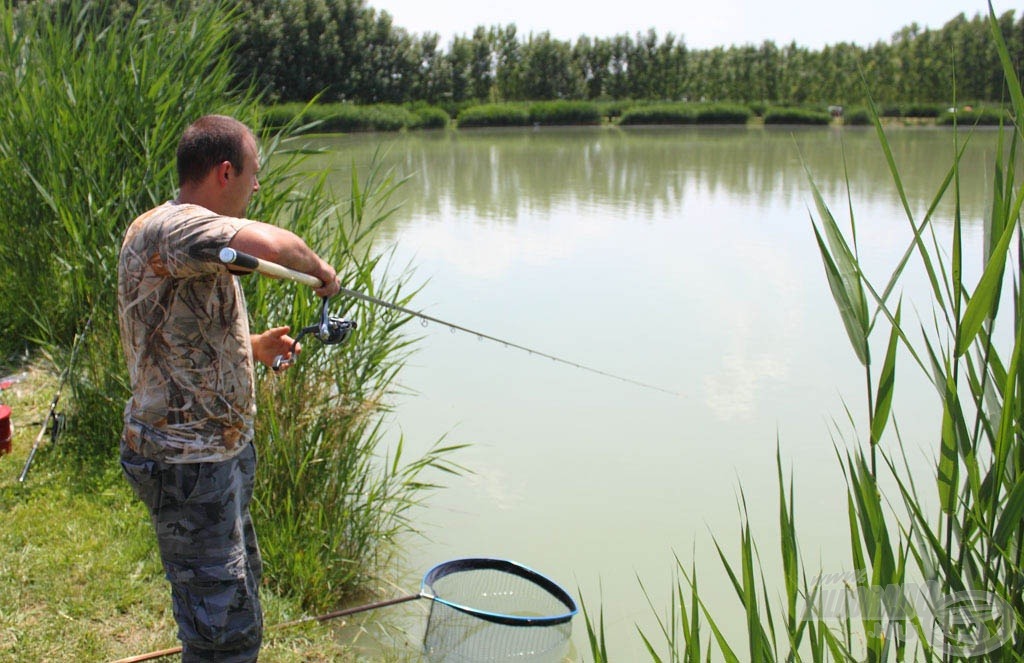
[{"x": 187, "y": 448}]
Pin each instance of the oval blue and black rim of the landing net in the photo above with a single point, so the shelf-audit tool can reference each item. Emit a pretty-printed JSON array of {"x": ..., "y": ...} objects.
[{"x": 492, "y": 564}]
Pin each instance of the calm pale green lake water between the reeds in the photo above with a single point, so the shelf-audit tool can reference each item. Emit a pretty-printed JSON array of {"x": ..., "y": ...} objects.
[{"x": 679, "y": 258}]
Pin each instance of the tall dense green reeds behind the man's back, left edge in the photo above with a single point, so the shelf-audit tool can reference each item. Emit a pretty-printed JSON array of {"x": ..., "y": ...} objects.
[{"x": 92, "y": 103}]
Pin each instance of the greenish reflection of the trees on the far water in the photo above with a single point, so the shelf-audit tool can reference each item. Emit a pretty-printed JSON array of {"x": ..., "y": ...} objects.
[{"x": 644, "y": 173}]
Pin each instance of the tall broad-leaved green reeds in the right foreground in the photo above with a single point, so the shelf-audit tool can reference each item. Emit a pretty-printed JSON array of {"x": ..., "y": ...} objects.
[{"x": 929, "y": 584}]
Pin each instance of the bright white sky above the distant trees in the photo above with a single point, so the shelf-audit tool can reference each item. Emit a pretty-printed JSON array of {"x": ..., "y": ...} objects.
[{"x": 703, "y": 24}]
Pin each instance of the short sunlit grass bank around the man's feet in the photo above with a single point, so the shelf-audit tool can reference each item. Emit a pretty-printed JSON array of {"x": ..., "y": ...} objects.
[{"x": 80, "y": 576}]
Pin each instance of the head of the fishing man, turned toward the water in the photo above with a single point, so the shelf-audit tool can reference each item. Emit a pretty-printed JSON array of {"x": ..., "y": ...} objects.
[{"x": 218, "y": 162}]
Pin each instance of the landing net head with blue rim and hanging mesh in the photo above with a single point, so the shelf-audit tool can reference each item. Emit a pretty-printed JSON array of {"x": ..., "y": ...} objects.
[{"x": 488, "y": 610}]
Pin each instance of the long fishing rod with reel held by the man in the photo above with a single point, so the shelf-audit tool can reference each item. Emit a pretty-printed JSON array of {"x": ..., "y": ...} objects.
[{"x": 246, "y": 262}]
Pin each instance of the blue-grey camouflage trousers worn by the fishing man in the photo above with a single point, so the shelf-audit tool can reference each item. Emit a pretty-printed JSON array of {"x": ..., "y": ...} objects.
[{"x": 200, "y": 513}]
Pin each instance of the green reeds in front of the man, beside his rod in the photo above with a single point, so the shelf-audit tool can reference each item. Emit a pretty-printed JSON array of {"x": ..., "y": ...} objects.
[{"x": 332, "y": 501}]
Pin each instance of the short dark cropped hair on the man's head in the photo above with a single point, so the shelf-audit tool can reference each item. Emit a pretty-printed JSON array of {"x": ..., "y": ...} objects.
[{"x": 208, "y": 142}]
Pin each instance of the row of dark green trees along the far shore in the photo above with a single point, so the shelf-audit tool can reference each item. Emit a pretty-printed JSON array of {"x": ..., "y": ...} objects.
[{"x": 347, "y": 51}]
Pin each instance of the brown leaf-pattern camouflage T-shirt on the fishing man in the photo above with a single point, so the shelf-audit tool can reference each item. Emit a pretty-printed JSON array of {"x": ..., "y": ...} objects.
[{"x": 185, "y": 329}]
